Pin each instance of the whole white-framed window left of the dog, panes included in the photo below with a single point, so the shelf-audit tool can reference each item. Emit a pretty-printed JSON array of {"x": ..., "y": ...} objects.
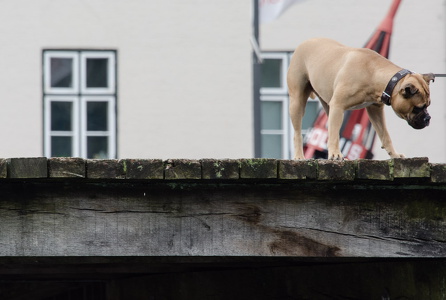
[{"x": 79, "y": 95}]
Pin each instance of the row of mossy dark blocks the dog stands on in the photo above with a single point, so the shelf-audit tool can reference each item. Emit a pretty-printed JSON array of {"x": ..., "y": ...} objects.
[{"x": 223, "y": 169}]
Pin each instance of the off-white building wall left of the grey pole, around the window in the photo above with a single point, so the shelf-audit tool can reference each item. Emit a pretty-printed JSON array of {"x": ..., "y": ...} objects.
[{"x": 184, "y": 72}]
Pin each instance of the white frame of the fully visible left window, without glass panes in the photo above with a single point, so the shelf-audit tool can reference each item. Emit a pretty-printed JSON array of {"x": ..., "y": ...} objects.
[{"x": 79, "y": 94}]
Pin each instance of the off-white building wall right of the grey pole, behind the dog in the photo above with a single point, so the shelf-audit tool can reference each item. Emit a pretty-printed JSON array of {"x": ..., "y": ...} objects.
[{"x": 418, "y": 44}]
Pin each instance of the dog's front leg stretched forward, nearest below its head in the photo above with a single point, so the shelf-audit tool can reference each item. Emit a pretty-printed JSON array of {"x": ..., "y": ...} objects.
[{"x": 376, "y": 115}]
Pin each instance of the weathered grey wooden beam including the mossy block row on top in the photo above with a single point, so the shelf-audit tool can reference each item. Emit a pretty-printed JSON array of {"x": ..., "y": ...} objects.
[{"x": 272, "y": 208}]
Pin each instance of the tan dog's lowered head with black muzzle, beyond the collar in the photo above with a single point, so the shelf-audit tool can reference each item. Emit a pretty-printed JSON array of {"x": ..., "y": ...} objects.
[{"x": 413, "y": 99}]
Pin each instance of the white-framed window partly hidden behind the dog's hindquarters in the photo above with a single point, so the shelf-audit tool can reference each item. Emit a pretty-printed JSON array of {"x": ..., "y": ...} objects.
[{"x": 275, "y": 126}]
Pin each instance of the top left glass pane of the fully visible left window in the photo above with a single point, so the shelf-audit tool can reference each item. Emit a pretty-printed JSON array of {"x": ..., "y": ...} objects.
[{"x": 61, "y": 72}]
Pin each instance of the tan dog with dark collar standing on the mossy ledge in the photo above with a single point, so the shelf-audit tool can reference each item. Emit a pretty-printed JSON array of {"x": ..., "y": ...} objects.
[{"x": 347, "y": 78}]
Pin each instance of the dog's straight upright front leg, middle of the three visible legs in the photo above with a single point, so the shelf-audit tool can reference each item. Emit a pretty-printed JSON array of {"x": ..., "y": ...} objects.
[{"x": 335, "y": 118}]
